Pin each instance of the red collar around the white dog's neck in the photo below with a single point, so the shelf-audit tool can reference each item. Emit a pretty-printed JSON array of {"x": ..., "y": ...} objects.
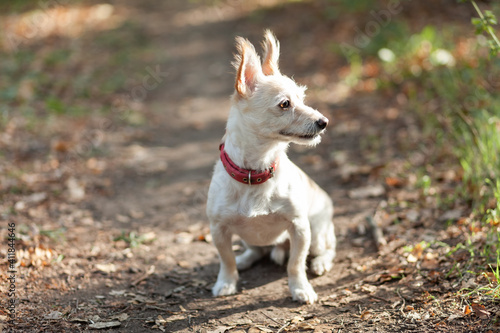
[{"x": 246, "y": 176}]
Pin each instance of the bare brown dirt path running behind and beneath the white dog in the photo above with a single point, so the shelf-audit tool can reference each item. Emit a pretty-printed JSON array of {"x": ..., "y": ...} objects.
[{"x": 159, "y": 176}]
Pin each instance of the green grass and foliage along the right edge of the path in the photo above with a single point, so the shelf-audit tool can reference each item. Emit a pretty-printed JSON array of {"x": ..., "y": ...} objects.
[{"x": 452, "y": 87}]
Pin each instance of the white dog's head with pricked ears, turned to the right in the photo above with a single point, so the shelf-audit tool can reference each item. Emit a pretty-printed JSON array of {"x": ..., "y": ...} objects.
[{"x": 272, "y": 104}]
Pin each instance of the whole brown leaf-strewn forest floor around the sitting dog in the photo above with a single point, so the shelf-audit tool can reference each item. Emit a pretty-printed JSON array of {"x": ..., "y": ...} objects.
[{"x": 116, "y": 239}]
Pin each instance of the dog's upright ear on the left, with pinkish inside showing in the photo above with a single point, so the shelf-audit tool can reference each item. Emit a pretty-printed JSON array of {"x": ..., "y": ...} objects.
[{"x": 247, "y": 64}]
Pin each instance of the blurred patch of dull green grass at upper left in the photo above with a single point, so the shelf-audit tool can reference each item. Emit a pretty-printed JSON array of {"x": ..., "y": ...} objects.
[{"x": 74, "y": 77}]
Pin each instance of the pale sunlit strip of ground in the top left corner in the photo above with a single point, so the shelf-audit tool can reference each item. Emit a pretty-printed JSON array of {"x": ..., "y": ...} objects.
[{"x": 29, "y": 27}]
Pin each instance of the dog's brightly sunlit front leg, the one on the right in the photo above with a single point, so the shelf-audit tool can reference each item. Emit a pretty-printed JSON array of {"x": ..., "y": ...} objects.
[{"x": 300, "y": 239}]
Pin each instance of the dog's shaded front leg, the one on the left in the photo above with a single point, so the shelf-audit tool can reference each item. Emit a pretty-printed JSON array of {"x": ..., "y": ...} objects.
[{"x": 228, "y": 274}]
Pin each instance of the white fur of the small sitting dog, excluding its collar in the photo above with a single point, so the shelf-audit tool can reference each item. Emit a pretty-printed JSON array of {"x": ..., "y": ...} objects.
[{"x": 289, "y": 206}]
